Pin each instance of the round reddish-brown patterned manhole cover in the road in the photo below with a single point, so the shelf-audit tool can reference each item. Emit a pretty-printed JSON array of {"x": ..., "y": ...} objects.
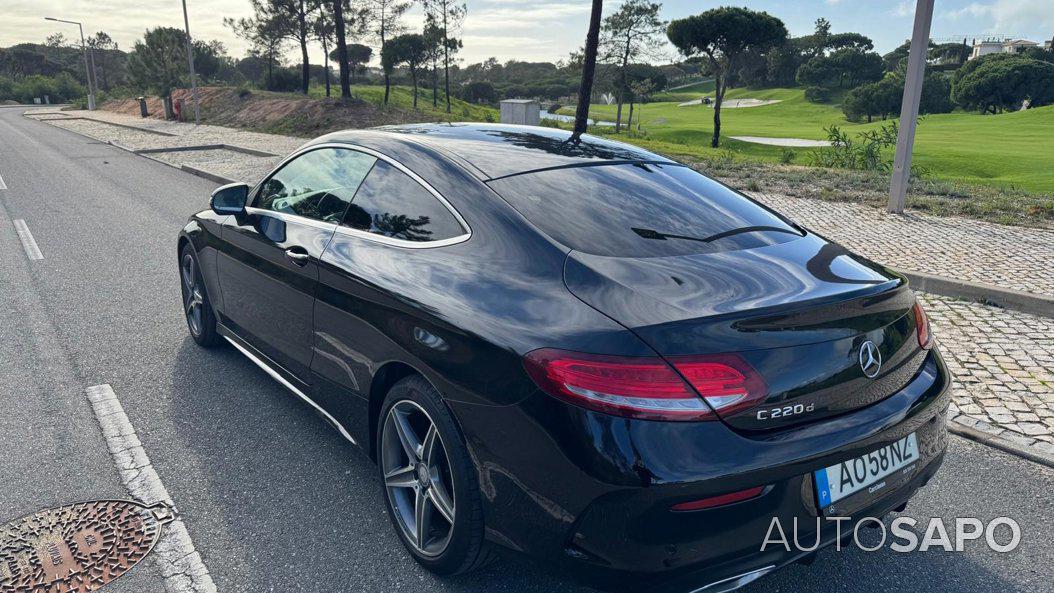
[{"x": 77, "y": 548}]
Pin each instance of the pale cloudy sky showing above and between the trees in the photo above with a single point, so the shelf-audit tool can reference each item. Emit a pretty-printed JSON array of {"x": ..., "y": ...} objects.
[{"x": 544, "y": 30}]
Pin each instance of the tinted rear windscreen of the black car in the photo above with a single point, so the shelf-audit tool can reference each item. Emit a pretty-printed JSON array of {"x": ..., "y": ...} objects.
[{"x": 641, "y": 211}]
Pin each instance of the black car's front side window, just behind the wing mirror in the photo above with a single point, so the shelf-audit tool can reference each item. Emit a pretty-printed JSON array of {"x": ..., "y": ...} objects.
[{"x": 317, "y": 185}]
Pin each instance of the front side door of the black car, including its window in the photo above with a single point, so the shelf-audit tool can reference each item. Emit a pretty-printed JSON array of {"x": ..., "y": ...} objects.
[{"x": 269, "y": 262}]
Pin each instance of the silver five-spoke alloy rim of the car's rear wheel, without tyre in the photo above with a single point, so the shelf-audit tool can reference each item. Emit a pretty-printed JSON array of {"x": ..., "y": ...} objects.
[{"x": 418, "y": 478}]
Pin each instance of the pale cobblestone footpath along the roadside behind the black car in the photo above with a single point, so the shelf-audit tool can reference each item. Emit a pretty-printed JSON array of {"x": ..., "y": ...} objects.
[{"x": 1004, "y": 361}]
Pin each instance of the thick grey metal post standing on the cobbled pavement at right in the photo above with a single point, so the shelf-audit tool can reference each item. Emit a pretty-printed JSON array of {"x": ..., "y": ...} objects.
[{"x": 910, "y": 107}]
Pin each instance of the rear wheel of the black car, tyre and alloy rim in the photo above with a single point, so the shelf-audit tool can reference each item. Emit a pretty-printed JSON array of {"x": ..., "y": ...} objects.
[{"x": 426, "y": 472}]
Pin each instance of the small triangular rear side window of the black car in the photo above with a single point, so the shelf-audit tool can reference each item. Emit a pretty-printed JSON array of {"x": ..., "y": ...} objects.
[{"x": 392, "y": 204}]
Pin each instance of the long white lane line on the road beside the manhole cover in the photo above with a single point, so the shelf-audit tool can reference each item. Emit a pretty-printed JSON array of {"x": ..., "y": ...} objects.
[{"x": 182, "y": 566}]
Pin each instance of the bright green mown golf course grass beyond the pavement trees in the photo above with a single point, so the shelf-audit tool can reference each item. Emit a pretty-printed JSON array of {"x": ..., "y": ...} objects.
[{"x": 1012, "y": 151}]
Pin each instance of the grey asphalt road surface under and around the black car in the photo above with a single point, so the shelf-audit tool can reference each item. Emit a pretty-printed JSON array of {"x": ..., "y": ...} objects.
[{"x": 274, "y": 499}]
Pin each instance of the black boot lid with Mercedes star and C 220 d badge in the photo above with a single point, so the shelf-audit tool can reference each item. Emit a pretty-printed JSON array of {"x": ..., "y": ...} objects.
[{"x": 801, "y": 313}]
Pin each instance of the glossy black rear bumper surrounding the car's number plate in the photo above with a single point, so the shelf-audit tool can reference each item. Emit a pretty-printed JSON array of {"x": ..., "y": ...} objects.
[{"x": 593, "y": 495}]
